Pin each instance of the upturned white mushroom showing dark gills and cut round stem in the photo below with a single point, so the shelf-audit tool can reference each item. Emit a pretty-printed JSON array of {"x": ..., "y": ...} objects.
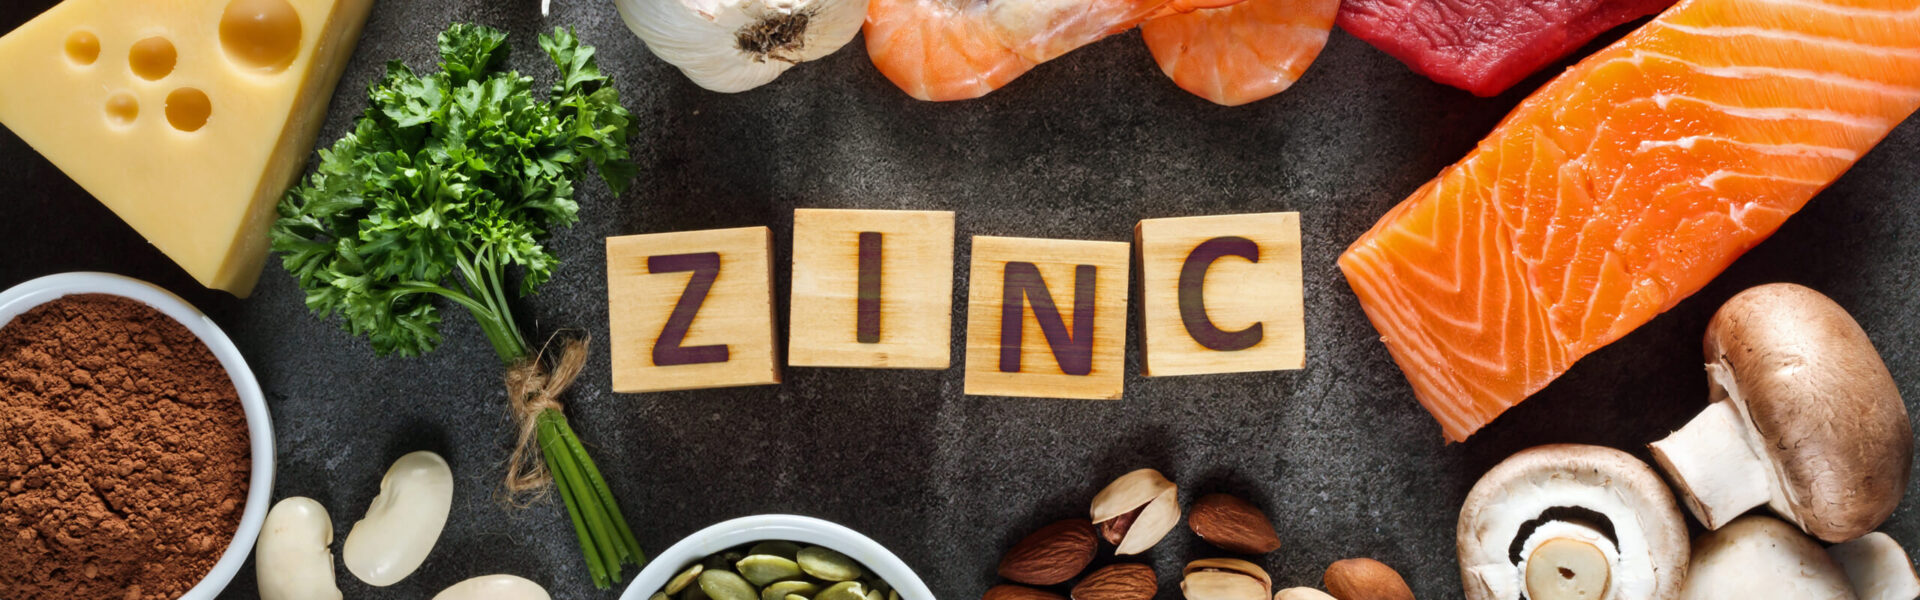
[{"x": 1572, "y": 522}]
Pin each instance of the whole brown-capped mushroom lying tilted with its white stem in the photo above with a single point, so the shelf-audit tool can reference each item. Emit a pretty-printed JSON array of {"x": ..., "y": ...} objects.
[{"x": 1804, "y": 418}]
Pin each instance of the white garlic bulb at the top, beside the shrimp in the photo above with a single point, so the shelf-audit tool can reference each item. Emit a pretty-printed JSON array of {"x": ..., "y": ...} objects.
[{"x": 740, "y": 45}]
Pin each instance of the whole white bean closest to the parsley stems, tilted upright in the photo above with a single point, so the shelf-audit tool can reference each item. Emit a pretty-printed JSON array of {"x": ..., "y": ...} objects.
[{"x": 404, "y": 520}]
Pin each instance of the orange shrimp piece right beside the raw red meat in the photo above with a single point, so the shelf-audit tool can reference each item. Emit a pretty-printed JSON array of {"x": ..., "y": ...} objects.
[{"x": 1241, "y": 53}]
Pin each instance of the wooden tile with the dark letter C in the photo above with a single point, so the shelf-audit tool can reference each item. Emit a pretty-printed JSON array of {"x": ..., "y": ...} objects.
[{"x": 1220, "y": 295}]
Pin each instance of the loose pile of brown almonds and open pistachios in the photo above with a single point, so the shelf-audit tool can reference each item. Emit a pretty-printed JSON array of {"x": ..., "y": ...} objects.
[{"x": 1134, "y": 514}]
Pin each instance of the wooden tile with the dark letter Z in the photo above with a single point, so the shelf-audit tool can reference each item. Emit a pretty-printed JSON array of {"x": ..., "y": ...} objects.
[{"x": 692, "y": 311}]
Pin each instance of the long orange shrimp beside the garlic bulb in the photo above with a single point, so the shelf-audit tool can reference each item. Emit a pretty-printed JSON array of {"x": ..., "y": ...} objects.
[{"x": 965, "y": 49}]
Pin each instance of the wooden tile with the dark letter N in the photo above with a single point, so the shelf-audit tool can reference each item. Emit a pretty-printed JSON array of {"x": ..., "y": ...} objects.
[{"x": 1047, "y": 318}]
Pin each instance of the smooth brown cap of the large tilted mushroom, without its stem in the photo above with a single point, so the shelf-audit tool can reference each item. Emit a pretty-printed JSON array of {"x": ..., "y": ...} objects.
[{"x": 1821, "y": 403}]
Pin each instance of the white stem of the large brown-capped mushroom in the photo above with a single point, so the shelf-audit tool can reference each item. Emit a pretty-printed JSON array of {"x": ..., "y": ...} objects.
[{"x": 1714, "y": 466}]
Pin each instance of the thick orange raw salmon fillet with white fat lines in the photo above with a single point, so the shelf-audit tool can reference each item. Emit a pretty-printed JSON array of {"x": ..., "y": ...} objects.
[{"x": 1623, "y": 187}]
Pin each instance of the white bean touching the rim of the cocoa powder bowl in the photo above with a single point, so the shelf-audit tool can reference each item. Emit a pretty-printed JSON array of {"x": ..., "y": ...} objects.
[{"x": 291, "y": 559}]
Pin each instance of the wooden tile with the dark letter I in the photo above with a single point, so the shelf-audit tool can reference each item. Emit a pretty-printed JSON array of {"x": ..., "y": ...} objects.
[{"x": 873, "y": 289}]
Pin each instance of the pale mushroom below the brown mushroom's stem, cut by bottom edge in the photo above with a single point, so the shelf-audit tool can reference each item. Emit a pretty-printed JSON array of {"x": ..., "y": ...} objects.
[{"x": 1764, "y": 559}]
